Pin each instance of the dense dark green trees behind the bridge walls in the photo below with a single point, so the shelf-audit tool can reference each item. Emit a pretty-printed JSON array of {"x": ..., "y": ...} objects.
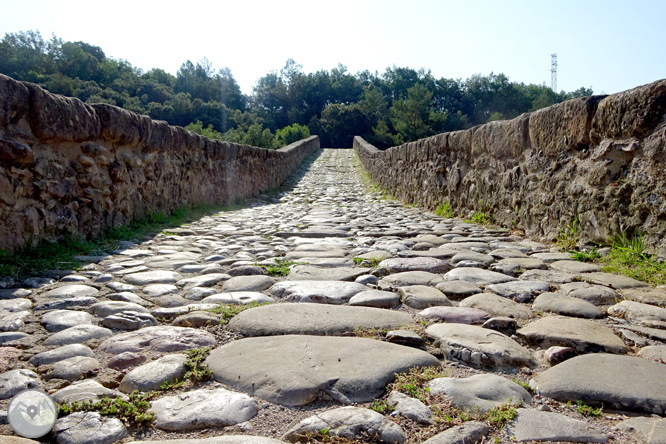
[{"x": 397, "y": 106}]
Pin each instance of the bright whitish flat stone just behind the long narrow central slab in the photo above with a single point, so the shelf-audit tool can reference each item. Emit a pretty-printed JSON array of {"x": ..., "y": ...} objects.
[{"x": 323, "y": 292}]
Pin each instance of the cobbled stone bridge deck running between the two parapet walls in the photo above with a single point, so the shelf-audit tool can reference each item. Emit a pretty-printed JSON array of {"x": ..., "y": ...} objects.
[{"x": 377, "y": 288}]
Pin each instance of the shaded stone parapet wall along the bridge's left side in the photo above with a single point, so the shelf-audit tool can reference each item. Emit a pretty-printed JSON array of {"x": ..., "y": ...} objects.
[{"x": 68, "y": 168}]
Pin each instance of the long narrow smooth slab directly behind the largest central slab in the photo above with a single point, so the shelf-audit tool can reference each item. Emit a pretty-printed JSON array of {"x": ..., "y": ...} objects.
[{"x": 314, "y": 319}]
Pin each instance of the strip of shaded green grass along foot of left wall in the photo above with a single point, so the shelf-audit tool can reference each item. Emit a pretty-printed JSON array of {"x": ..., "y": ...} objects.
[{"x": 60, "y": 255}]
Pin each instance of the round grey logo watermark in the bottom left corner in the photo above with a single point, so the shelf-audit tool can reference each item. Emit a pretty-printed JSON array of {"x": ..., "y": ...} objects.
[{"x": 32, "y": 413}]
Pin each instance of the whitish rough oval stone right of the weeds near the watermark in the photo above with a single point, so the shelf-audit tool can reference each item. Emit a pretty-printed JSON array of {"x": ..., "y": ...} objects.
[{"x": 203, "y": 408}]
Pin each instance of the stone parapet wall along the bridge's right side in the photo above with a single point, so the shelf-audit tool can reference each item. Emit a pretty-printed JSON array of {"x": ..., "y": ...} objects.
[{"x": 600, "y": 160}]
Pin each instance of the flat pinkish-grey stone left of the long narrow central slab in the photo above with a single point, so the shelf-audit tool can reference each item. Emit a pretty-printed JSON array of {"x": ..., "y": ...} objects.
[{"x": 159, "y": 338}]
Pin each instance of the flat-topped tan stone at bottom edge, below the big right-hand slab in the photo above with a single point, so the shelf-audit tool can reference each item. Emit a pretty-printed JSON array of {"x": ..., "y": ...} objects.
[{"x": 535, "y": 425}]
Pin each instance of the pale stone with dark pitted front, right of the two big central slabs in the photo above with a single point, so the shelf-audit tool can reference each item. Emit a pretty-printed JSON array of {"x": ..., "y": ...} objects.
[{"x": 479, "y": 346}]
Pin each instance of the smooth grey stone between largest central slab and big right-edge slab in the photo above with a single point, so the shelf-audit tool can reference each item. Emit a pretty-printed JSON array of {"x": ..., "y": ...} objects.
[{"x": 485, "y": 391}]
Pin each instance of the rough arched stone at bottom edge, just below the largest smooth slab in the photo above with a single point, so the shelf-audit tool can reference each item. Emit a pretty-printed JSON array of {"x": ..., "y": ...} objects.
[{"x": 351, "y": 423}]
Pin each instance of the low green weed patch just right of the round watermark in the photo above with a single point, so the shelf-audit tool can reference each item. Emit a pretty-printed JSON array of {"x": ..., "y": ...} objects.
[{"x": 134, "y": 411}]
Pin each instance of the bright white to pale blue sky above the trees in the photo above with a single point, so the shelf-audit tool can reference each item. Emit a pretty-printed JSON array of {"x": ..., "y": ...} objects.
[{"x": 609, "y": 45}]
